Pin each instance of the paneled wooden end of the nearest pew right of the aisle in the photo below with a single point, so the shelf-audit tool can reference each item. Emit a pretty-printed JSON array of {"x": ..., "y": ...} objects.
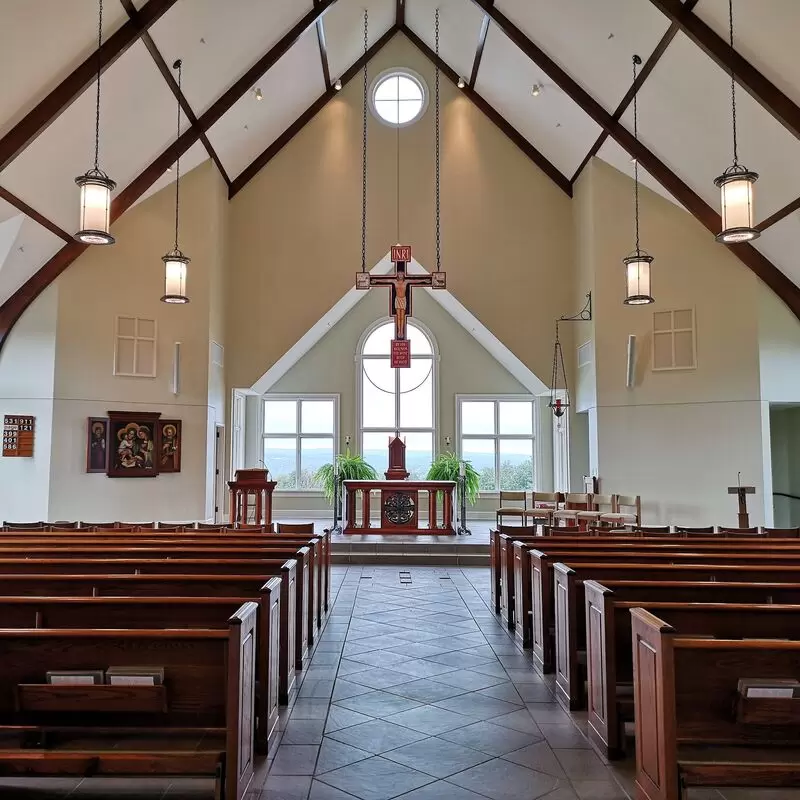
[{"x": 654, "y": 702}]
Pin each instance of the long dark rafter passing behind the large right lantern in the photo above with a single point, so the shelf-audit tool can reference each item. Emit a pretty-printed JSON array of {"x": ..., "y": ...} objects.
[{"x": 746, "y": 253}]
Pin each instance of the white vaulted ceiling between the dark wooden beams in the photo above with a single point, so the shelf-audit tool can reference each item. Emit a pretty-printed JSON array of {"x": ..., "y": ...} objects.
[{"x": 684, "y": 105}]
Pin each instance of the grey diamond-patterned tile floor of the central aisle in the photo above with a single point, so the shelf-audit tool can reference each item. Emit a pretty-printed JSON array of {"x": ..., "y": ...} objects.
[{"x": 414, "y": 691}]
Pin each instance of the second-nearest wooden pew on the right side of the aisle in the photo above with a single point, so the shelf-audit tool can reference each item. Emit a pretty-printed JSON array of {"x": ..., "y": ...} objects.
[{"x": 720, "y": 609}]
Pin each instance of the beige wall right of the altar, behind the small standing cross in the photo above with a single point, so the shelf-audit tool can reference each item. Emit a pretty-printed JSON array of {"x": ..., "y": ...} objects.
[{"x": 677, "y": 438}]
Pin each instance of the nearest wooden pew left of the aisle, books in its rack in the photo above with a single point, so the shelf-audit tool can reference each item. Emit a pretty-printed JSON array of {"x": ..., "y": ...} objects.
[{"x": 198, "y": 723}]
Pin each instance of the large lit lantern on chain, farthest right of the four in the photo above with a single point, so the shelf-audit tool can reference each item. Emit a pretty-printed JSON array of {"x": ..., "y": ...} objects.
[{"x": 736, "y": 183}]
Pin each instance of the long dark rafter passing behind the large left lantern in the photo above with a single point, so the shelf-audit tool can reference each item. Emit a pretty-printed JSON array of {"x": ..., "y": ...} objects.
[{"x": 14, "y": 307}]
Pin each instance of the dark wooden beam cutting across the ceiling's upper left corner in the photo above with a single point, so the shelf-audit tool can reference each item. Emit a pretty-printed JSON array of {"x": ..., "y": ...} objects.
[{"x": 46, "y": 111}]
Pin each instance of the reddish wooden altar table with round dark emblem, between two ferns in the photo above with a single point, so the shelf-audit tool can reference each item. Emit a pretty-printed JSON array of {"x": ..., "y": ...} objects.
[{"x": 399, "y": 506}]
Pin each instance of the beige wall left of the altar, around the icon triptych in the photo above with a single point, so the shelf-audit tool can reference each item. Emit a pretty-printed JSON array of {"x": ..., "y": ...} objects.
[{"x": 128, "y": 279}]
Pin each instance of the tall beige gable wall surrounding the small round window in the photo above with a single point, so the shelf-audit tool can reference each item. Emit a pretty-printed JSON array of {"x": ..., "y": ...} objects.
[{"x": 506, "y": 228}]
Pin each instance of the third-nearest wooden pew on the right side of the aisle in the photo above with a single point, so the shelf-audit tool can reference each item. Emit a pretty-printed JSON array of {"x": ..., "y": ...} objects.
[{"x": 567, "y": 604}]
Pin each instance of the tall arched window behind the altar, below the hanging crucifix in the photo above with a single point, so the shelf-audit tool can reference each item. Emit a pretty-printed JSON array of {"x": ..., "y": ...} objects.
[{"x": 402, "y": 400}]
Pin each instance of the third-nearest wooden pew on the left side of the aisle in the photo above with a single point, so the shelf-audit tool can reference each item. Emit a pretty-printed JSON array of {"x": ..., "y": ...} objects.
[{"x": 176, "y": 586}]
